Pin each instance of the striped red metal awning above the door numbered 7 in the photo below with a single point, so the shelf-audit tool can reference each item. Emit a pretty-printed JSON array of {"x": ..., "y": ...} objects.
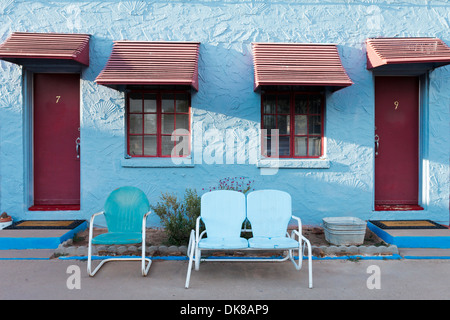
[{"x": 22, "y": 47}]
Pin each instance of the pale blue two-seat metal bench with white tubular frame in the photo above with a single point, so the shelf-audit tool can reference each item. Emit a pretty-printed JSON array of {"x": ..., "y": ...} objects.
[{"x": 269, "y": 213}]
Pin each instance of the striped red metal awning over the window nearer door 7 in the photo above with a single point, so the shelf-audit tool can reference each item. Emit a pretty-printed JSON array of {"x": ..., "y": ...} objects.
[{"x": 151, "y": 63}]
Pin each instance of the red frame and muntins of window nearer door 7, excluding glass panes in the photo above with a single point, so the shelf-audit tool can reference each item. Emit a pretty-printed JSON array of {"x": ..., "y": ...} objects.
[{"x": 159, "y": 113}]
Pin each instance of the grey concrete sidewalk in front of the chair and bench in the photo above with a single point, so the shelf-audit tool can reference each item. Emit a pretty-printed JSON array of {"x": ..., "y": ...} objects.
[{"x": 333, "y": 279}]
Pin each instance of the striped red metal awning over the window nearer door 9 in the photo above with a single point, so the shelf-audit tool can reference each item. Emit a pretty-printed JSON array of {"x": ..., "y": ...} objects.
[{"x": 298, "y": 64}]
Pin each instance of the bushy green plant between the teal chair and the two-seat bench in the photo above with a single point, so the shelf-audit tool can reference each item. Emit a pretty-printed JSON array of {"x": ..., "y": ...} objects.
[{"x": 178, "y": 218}]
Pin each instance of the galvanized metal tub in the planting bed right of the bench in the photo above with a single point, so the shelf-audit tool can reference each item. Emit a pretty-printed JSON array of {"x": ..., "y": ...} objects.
[{"x": 344, "y": 231}]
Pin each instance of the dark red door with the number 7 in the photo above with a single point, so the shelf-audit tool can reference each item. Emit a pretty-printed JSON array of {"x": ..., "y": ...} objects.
[{"x": 56, "y": 100}]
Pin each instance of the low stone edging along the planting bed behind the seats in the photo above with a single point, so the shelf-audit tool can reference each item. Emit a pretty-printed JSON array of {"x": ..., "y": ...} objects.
[{"x": 68, "y": 249}]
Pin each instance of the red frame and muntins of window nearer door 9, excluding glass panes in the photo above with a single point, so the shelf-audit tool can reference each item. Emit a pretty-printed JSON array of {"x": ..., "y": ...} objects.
[{"x": 292, "y": 113}]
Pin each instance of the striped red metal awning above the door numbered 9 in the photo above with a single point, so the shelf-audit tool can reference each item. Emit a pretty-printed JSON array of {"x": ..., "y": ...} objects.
[{"x": 432, "y": 52}]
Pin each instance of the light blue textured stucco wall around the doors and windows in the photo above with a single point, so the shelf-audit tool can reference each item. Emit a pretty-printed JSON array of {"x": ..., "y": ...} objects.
[{"x": 339, "y": 185}]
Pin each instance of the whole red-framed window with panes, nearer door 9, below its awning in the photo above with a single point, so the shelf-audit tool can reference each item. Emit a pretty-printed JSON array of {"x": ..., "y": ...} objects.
[{"x": 299, "y": 120}]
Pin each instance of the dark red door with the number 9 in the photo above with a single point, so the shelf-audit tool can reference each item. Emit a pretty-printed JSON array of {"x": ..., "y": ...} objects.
[{"x": 396, "y": 143}]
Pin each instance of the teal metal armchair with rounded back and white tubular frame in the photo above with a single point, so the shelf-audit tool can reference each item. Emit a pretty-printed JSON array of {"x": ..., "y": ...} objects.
[{"x": 125, "y": 211}]
